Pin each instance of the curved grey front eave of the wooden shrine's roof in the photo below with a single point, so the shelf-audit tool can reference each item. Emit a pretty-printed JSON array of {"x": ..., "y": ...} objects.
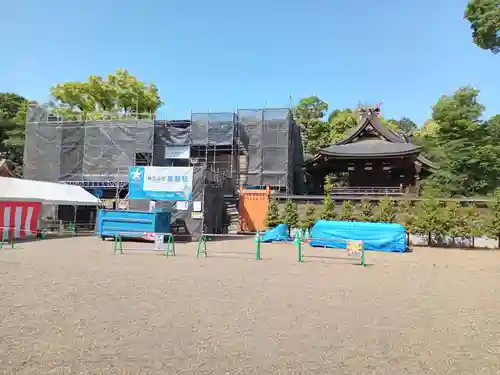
[{"x": 372, "y": 147}]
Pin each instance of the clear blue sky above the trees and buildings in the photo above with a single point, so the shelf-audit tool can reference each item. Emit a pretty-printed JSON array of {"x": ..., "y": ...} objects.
[{"x": 222, "y": 55}]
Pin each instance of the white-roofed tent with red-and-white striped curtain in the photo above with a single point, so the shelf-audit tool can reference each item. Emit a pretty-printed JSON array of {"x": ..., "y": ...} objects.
[{"x": 21, "y": 202}]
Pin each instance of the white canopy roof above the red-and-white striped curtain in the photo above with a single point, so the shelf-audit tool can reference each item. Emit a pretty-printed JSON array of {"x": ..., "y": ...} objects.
[{"x": 15, "y": 189}]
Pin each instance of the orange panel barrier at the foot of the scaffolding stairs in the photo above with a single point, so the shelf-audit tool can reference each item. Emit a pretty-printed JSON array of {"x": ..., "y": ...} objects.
[{"x": 253, "y": 208}]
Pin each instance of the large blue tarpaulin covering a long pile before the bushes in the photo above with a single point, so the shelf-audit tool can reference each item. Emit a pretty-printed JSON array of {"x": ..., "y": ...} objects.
[{"x": 375, "y": 236}]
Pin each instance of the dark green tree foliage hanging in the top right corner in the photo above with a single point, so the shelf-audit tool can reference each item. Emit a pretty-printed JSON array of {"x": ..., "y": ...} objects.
[{"x": 484, "y": 18}]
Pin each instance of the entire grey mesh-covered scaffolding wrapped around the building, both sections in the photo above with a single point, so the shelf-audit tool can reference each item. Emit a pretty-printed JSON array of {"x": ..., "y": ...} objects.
[{"x": 253, "y": 147}]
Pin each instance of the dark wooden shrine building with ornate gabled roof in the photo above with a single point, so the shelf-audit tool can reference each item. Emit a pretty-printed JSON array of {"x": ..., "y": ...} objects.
[{"x": 371, "y": 160}]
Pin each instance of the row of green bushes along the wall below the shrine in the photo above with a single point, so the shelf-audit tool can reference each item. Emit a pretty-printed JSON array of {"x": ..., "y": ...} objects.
[{"x": 428, "y": 217}]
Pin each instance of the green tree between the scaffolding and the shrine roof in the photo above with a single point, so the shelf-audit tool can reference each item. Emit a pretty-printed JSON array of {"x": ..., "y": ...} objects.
[{"x": 309, "y": 114}]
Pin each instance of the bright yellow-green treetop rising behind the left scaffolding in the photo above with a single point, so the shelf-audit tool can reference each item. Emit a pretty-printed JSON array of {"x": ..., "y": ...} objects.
[{"x": 120, "y": 92}]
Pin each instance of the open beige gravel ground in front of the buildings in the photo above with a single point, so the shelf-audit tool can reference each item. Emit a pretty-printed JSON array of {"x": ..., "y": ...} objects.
[{"x": 68, "y": 306}]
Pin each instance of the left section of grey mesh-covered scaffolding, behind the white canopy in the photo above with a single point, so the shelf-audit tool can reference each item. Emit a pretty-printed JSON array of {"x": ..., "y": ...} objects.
[{"x": 93, "y": 151}]
